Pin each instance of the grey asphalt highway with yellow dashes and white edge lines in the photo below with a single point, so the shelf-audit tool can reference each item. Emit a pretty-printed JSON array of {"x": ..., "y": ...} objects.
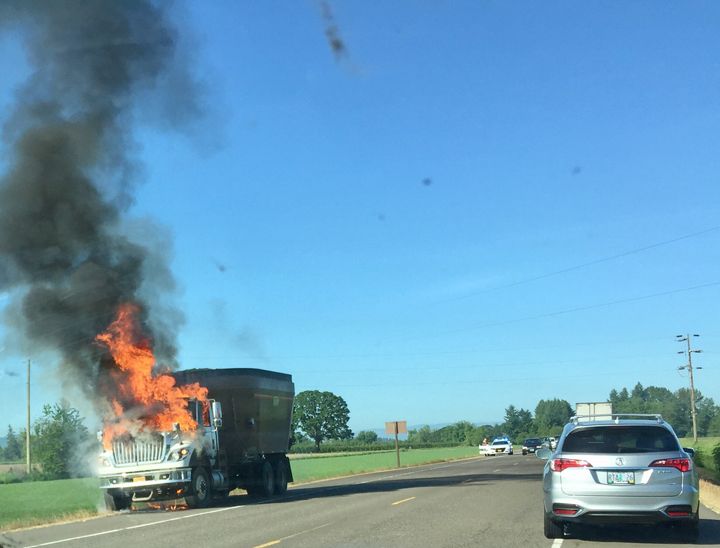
[{"x": 495, "y": 501}]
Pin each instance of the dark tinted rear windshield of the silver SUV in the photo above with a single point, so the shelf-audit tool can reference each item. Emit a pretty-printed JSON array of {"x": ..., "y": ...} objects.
[{"x": 620, "y": 439}]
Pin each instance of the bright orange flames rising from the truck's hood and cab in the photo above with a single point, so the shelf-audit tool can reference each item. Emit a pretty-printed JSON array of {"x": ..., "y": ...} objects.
[{"x": 160, "y": 402}]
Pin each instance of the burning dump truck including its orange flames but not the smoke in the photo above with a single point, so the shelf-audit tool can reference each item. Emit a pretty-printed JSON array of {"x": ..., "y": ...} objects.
[{"x": 165, "y": 436}]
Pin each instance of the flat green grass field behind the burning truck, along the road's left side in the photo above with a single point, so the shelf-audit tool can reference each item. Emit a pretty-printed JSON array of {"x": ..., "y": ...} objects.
[{"x": 36, "y": 503}]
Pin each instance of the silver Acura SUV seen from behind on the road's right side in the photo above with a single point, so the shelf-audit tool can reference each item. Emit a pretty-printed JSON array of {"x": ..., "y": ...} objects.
[{"x": 626, "y": 469}]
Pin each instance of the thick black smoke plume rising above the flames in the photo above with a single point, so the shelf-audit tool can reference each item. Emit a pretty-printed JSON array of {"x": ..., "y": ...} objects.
[{"x": 63, "y": 257}]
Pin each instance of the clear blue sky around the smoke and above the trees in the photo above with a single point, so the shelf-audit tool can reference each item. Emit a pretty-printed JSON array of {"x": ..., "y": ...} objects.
[{"x": 380, "y": 224}]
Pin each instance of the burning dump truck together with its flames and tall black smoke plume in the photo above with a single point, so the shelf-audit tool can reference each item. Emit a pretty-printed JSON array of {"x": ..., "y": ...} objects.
[{"x": 71, "y": 260}]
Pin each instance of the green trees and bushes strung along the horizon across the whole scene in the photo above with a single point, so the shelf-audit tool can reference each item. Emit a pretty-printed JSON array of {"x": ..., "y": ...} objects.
[{"x": 322, "y": 418}]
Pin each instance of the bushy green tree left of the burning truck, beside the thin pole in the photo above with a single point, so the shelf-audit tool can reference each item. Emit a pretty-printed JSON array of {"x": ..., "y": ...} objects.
[{"x": 58, "y": 434}]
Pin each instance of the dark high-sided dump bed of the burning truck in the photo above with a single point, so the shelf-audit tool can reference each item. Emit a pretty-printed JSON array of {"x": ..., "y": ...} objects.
[{"x": 257, "y": 409}]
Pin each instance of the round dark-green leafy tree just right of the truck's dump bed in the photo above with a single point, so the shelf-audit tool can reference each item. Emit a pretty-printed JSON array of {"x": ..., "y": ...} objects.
[{"x": 321, "y": 416}]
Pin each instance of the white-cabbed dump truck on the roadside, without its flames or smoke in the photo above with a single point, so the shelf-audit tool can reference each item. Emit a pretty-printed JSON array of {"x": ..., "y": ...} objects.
[{"x": 246, "y": 447}]
